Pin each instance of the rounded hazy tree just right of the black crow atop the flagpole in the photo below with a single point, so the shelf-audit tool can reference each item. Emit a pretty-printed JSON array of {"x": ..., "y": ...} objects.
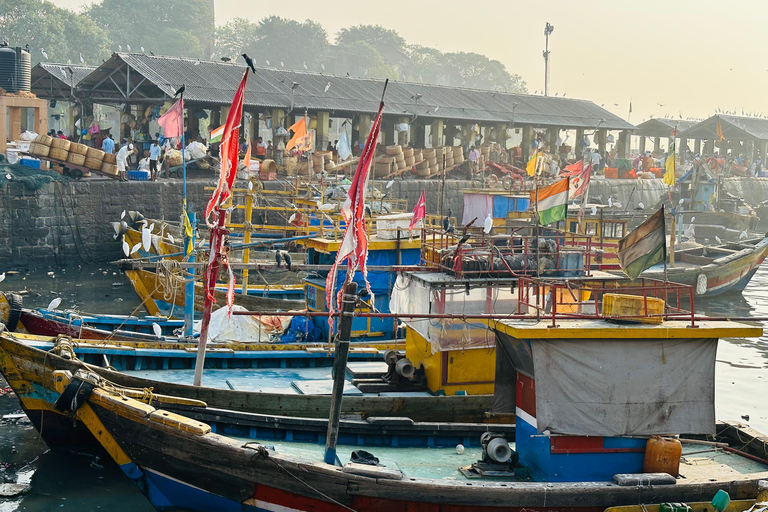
[{"x": 290, "y": 42}]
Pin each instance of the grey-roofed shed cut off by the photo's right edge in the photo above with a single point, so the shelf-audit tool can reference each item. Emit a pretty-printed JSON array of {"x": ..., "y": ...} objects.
[{"x": 740, "y": 135}]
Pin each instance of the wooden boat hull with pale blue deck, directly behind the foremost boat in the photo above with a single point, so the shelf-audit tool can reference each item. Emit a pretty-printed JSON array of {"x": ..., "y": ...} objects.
[{"x": 274, "y": 390}]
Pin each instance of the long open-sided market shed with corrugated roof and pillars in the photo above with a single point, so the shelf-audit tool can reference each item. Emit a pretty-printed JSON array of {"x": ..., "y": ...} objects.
[{"x": 141, "y": 79}]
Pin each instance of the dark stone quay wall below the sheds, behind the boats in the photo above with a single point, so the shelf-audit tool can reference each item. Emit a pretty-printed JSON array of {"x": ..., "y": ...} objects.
[{"x": 68, "y": 223}]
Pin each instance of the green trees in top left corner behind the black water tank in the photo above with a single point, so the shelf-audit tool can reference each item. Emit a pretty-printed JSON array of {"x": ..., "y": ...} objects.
[{"x": 61, "y": 33}]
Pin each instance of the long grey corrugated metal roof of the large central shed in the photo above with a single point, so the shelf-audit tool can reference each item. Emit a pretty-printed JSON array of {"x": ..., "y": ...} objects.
[{"x": 211, "y": 82}]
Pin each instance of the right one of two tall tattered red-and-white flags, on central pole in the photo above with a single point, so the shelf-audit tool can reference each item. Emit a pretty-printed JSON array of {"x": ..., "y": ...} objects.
[{"x": 354, "y": 246}]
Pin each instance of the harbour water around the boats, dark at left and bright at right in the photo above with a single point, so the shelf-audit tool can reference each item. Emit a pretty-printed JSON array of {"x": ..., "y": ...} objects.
[{"x": 78, "y": 482}]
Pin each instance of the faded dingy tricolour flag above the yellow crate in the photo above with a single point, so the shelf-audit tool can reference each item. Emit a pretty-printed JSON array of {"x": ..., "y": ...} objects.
[{"x": 644, "y": 247}]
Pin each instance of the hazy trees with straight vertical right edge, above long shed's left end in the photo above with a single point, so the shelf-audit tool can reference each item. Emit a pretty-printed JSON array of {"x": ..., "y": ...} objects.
[{"x": 182, "y": 28}]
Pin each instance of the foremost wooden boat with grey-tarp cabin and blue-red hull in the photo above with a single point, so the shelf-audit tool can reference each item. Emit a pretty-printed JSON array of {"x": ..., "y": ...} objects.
[{"x": 561, "y": 462}]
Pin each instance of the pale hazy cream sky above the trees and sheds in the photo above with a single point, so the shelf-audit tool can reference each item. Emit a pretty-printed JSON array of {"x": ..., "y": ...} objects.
[{"x": 691, "y": 56}]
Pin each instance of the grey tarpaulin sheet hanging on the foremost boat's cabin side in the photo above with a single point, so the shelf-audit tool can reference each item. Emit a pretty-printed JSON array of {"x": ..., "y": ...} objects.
[{"x": 625, "y": 387}]
